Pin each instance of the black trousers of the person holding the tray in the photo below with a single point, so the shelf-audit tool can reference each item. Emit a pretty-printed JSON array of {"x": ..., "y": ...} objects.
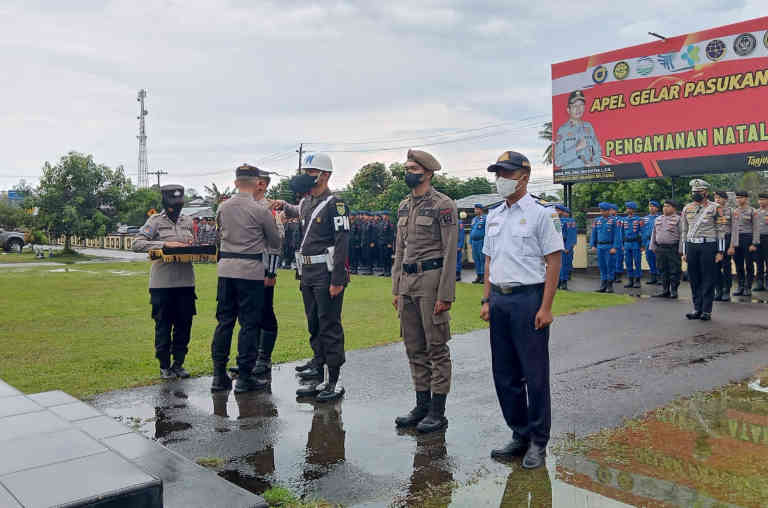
[{"x": 172, "y": 310}]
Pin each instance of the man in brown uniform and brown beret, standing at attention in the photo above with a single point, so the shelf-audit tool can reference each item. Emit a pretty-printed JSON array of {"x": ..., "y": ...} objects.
[{"x": 424, "y": 288}]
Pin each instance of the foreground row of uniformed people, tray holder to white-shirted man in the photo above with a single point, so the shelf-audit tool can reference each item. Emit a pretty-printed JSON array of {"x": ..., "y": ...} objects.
[{"x": 520, "y": 254}]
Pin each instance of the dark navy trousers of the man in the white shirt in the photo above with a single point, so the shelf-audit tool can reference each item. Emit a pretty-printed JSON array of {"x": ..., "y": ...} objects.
[{"x": 520, "y": 364}]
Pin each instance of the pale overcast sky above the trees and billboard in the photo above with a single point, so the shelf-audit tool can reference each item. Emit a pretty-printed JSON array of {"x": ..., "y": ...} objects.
[{"x": 247, "y": 80}]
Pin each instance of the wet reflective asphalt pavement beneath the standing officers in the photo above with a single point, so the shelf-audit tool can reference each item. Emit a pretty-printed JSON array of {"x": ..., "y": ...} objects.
[{"x": 608, "y": 365}]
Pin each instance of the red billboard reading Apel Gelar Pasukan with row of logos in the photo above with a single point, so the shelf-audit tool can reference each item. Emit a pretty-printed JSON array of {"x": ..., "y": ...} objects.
[{"x": 691, "y": 104}]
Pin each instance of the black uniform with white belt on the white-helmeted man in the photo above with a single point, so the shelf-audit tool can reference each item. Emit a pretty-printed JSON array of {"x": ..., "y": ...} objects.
[{"x": 328, "y": 229}]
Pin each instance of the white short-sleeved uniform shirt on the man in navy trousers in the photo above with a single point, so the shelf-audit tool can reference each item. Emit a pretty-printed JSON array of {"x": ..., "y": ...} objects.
[{"x": 517, "y": 238}]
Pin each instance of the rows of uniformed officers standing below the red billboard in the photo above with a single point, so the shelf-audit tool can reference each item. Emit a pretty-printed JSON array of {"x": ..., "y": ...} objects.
[{"x": 710, "y": 235}]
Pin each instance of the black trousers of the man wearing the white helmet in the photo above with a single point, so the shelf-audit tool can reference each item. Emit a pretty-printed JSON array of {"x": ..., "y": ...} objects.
[{"x": 323, "y": 316}]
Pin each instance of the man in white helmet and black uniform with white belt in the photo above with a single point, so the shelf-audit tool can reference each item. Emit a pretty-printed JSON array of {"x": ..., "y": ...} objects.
[{"x": 321, "y": 260}]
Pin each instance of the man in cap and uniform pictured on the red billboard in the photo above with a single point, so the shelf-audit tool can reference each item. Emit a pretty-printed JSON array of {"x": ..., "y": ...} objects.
[{"x": 576, "y": 144}]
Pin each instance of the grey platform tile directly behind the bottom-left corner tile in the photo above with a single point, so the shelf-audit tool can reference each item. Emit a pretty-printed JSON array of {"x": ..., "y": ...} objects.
[{"x": 42, "y": 449}]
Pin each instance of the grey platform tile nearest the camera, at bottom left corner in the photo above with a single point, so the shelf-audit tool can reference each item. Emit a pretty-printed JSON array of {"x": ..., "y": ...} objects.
[{"x": 78, "y": 481}]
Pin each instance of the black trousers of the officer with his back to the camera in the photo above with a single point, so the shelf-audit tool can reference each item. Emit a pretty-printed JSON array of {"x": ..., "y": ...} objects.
[{"x": 239, "y": 300}]
